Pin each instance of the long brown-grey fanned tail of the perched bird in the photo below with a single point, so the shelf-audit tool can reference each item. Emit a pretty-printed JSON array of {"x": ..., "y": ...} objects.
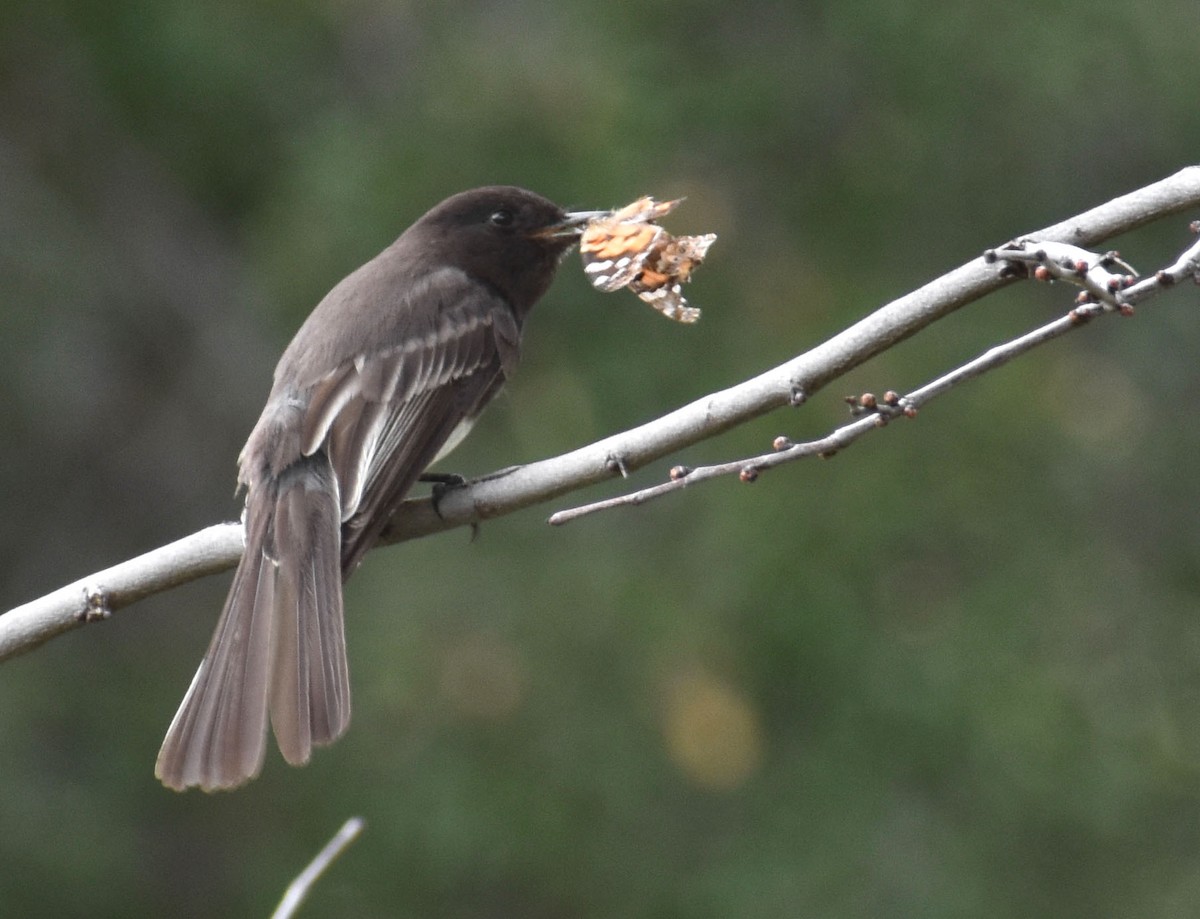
[{"x": 279, "y": 647}]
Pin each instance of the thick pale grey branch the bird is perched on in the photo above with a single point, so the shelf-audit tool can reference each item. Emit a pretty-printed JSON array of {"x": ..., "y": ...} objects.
[{"x": 789, "y": 385}]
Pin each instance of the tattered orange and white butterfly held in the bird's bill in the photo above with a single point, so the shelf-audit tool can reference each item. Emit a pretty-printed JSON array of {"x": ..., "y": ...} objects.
[{"x": 628, "y": 249}]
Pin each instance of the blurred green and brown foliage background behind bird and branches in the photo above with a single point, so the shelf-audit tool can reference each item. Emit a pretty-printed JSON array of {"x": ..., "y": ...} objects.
[{"x": 953, "y": 672}]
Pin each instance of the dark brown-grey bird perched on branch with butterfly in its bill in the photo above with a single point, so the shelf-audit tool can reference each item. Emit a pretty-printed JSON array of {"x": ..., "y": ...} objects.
[{"x": 385, "y": 377}]
